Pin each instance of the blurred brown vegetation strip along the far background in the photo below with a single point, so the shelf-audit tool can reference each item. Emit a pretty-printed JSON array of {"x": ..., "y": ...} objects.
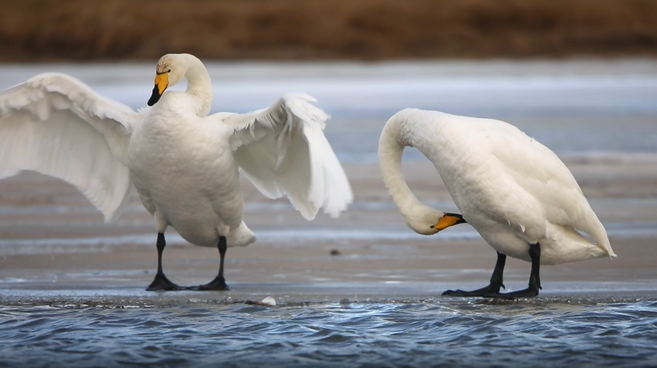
[{"x": 38, "y": 30}]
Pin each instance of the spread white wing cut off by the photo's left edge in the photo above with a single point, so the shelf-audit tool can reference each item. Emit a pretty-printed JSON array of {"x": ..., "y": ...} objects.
[{"x": 56, "y": 125}]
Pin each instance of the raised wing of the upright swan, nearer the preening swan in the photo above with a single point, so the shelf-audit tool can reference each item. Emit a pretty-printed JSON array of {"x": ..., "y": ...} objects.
[{"x": 283, "y": 150}]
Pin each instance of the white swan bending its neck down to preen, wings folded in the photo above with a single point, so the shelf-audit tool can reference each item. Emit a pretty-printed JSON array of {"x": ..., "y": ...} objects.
[{"x": 513, "y": 190}]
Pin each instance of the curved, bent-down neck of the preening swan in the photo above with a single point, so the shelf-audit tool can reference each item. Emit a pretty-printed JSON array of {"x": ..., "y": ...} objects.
[{"x": 391, "y": 147}]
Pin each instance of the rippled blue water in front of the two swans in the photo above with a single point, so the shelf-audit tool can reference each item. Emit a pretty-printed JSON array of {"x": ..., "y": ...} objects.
[{"x": 400, "y": 334}]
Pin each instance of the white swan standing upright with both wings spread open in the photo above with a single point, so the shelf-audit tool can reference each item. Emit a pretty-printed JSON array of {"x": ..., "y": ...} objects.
[{"x": 183, "y": 163}]
